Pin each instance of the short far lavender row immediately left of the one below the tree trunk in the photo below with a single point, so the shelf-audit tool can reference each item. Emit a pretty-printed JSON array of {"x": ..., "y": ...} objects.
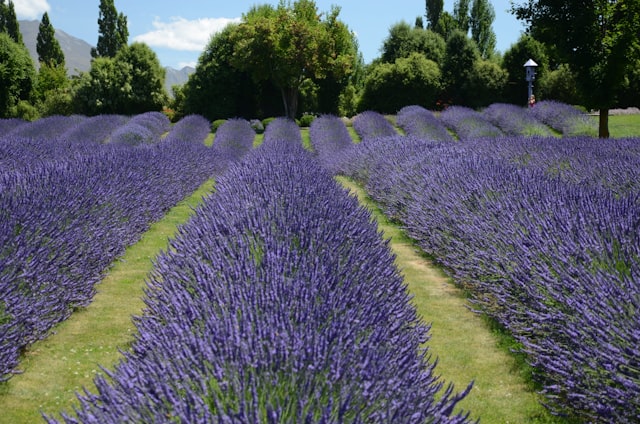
[{"x": 234, "y": 139}]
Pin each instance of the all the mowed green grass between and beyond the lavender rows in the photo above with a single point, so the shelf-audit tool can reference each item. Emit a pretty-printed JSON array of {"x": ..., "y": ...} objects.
[{"x": 467, "y": 347}]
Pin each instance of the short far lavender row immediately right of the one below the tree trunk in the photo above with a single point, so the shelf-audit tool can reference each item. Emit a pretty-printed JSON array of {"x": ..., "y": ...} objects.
[{"x": 329, "y": 139}]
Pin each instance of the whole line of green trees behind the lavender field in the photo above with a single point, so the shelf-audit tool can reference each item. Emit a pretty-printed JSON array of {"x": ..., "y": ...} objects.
[{"x": 292, "y": 59}]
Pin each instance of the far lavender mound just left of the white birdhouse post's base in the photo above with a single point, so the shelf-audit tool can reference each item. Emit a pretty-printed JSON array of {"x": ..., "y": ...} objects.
[{"x": 515, "y": 120}]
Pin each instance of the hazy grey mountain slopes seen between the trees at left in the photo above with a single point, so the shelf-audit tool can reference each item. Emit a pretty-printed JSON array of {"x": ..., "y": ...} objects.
[{"x": 77, "y": 54}]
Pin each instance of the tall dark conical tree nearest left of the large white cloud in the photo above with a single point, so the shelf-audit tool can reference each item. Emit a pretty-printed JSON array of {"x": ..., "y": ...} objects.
[{"x": 113, "y": 33}]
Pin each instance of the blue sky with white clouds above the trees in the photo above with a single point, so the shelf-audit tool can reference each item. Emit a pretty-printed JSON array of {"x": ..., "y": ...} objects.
[{"x": 178, "y": 30}]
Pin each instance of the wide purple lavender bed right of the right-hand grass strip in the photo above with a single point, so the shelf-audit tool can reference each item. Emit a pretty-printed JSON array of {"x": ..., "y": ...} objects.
[{"x": 546, "y": 243}]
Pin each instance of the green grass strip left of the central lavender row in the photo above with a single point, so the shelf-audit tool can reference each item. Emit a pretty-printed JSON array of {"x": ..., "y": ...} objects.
[{"x": 68, "y": 360}]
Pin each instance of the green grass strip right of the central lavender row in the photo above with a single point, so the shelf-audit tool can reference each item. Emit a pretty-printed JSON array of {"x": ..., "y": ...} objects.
[{"x": 466, "y": 347}]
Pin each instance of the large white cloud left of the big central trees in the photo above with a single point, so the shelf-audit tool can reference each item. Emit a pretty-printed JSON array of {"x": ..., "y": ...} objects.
[{"x": 183, "y": 34}]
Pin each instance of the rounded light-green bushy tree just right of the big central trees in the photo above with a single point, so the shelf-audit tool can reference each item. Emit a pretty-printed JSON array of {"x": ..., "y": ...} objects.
[{"x": 414, "y": 80}]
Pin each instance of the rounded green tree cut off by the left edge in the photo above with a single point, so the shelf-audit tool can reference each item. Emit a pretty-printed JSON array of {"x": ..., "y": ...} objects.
[{"x": 17, "y": 75}]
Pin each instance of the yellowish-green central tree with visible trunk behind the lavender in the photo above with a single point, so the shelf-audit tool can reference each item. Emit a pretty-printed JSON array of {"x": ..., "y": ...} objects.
[{"x": 287, "y": 45}]
